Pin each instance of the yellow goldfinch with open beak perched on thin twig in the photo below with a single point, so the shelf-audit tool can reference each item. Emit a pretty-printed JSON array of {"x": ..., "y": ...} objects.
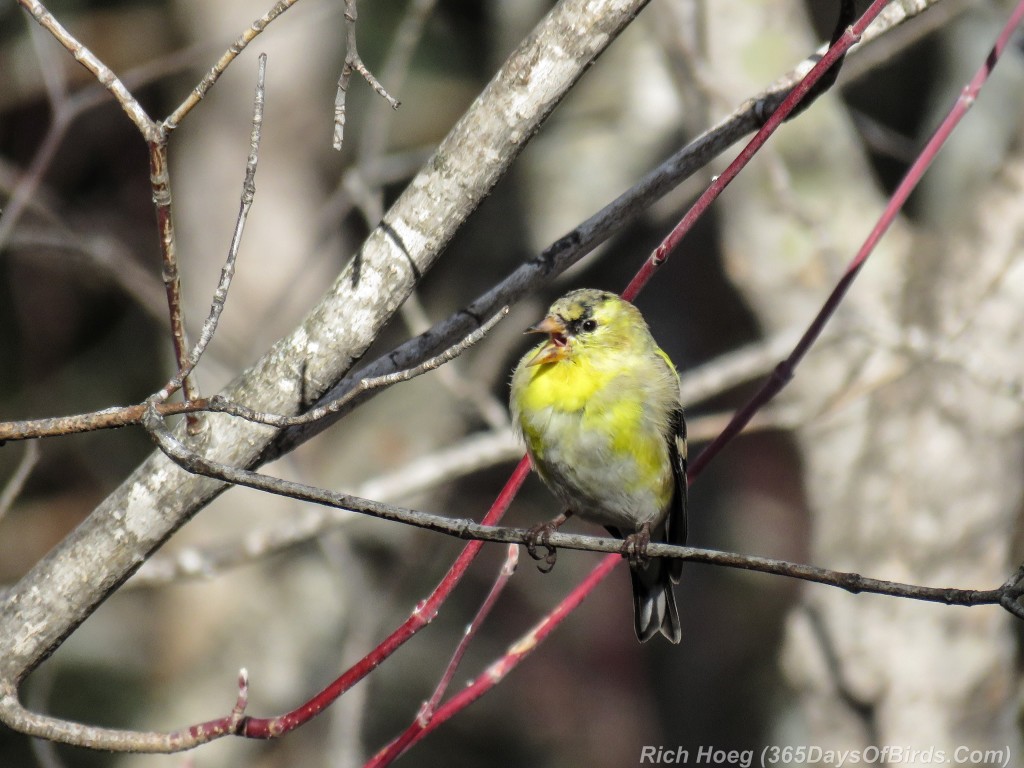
[{"x": 598, "y": 405}]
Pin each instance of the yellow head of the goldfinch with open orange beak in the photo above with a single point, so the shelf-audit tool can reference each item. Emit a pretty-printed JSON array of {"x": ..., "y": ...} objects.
[{"x": 586, "y": 319}]
